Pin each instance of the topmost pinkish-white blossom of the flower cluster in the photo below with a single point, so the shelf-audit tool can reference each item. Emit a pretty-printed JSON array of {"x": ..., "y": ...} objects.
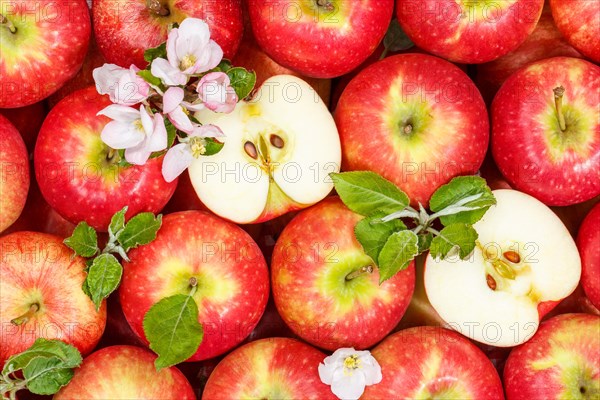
[{"x": 189, "y": 51}]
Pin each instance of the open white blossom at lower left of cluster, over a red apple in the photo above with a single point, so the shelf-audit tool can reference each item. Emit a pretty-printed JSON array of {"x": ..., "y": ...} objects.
[{"x": 139, "y": 133}]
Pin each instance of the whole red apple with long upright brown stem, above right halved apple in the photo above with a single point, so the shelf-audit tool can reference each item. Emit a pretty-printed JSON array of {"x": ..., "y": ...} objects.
[{"x": 566, "y": 169}]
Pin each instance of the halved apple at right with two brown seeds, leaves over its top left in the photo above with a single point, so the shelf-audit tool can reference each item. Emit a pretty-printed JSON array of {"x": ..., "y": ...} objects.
[{"x": 524, "y": 258}]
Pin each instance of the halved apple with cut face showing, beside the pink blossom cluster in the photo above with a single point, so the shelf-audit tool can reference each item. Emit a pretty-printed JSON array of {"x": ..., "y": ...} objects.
[{"x": 279, "y": 150}]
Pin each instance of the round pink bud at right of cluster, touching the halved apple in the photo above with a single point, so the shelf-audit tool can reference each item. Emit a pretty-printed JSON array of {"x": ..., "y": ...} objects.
[{"x": 216, "y": 92}]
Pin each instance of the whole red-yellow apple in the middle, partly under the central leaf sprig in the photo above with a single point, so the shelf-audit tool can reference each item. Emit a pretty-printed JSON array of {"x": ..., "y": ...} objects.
[{"x": 312, "y": 257}]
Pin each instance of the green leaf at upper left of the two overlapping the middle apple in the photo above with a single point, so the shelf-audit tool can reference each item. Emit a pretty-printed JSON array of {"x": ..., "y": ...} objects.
[{"x": 372, "y": 233}]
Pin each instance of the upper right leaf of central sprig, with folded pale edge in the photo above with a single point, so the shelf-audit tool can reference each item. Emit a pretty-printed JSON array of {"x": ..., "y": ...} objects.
[{"x": 454, "y": 197}]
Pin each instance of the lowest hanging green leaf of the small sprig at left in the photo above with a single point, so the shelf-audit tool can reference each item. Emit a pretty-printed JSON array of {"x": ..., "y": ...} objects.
[{"x": 103, "y": 277}]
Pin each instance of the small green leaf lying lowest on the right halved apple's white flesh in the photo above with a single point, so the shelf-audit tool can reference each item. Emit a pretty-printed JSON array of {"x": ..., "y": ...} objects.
[{"x": 461, "y": 236}]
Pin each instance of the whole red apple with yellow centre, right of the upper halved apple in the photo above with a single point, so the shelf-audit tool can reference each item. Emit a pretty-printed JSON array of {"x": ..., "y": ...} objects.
[{"x": 451, "y": 131}]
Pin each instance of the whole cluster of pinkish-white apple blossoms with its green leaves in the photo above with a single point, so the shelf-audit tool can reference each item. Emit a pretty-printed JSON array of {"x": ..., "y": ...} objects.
[{"x": 154, "y": 107}]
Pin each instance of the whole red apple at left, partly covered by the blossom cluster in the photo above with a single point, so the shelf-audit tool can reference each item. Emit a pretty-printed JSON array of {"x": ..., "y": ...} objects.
[{"x": 74, "y": 175}]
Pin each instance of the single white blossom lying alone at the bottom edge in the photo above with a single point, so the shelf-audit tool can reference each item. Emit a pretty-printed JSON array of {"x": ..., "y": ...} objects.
[{"x": 348, "y": 372}]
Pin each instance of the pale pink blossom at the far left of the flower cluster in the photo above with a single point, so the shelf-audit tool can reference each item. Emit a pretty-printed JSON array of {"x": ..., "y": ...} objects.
[{"x": 123, "y": 86}]
